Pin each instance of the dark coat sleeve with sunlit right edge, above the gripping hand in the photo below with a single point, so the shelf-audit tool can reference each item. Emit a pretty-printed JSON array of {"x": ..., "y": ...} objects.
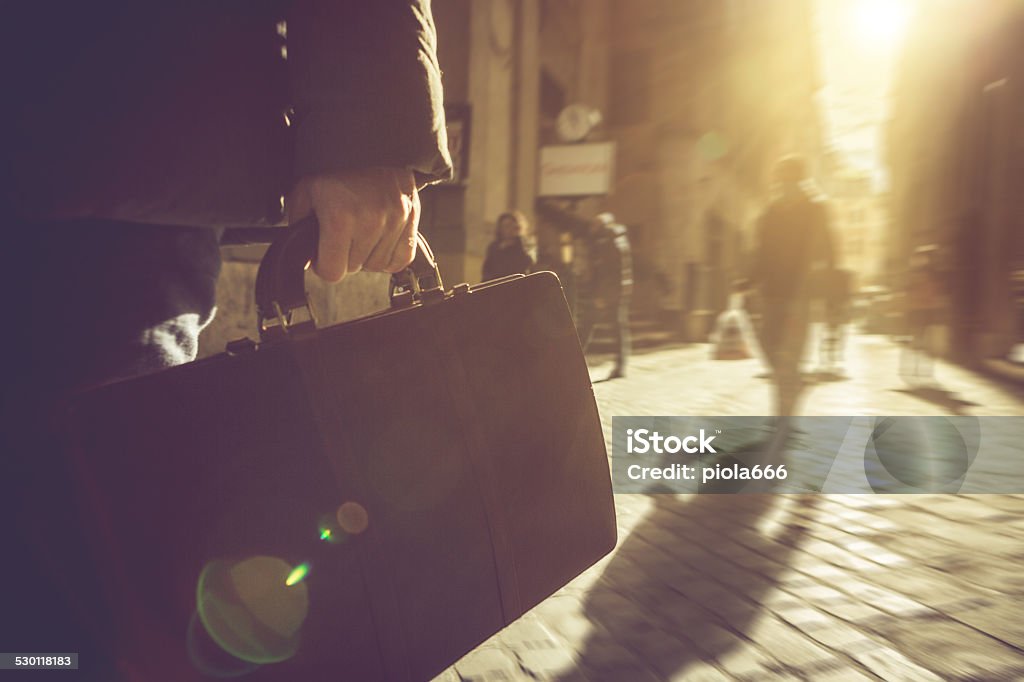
[{"x": 367, "y": 88}]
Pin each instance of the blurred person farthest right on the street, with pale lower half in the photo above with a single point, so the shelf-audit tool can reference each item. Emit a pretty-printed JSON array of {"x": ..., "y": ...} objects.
[{"x": 924, "y": 304}]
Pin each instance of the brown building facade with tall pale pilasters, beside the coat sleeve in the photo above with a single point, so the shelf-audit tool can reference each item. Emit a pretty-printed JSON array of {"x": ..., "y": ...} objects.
[{"x": 510, "y": 67}]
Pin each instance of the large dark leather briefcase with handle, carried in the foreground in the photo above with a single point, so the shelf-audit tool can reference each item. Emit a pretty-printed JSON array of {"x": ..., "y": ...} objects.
[{"x": 368, "y": 501}]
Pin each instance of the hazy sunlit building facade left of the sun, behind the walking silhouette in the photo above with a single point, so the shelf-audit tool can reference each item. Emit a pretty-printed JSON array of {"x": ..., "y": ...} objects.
[{"x": 704, "y": 98}]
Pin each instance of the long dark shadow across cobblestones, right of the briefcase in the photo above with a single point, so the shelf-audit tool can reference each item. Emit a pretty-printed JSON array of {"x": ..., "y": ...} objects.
[{"x": 687, "y": 584}]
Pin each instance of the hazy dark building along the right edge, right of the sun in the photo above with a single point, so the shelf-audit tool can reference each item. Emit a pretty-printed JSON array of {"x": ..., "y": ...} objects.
[{"x": 957, "y": 157}]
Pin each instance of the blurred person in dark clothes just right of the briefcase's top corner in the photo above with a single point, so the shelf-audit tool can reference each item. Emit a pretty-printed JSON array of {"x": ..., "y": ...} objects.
[{"x": 609, "y": 286}]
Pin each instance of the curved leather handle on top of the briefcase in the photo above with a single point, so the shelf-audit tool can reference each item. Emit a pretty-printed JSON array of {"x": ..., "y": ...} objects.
[{"x": 283, "y": 307}]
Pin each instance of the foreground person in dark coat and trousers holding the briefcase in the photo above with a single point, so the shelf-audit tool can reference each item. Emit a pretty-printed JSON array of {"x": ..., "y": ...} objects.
[{"x": 136, "y": 132}]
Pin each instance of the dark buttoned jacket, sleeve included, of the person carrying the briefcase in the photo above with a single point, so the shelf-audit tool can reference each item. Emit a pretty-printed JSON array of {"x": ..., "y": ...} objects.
[{"x": 176, "y": 112}]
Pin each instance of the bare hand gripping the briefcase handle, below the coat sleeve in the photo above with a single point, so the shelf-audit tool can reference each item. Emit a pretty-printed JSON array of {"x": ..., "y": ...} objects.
[{"x": 368, "y": 220}]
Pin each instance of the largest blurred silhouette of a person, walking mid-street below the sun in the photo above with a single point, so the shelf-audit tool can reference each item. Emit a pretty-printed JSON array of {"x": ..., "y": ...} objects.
[{"x": 793, "y": 243}]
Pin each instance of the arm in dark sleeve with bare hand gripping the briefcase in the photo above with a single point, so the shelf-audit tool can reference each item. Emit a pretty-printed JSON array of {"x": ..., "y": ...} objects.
[{"x": 370, "y": 129}]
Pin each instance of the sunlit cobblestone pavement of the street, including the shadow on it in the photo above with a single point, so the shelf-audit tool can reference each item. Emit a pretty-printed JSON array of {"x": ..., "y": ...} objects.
[{"x": 749, "y": 587}]
